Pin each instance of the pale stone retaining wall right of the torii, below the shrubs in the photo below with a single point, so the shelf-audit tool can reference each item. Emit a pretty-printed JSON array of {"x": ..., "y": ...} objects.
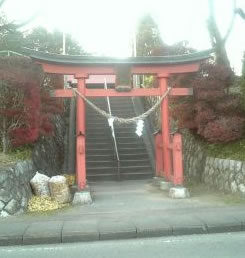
[{"x": 225, "y": 175}]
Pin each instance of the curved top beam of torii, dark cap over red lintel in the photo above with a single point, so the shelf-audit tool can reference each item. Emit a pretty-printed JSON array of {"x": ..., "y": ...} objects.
[{"x": 77, "y": 65}]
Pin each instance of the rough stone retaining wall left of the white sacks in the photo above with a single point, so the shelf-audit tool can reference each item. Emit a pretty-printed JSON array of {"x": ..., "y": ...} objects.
[{"x": 15, "y": 189}]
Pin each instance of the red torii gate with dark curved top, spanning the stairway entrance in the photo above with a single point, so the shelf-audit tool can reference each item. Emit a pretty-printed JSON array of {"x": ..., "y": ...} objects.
[{"x": 83, "y": 66}]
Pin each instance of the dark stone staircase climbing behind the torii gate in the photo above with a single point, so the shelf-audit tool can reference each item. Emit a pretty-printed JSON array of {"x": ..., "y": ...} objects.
[{"x": 101, "y": 161}]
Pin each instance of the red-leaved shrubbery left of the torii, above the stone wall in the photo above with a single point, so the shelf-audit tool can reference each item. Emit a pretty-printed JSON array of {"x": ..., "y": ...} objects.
[{"x": 33, "y": 118}]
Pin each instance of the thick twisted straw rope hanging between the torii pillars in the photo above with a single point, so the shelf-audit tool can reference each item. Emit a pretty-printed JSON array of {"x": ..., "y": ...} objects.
[{"x": 120, "y": 120}]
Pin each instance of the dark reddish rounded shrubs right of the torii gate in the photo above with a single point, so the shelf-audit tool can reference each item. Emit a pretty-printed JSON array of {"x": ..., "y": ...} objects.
[{"x": 213, "y": 113}]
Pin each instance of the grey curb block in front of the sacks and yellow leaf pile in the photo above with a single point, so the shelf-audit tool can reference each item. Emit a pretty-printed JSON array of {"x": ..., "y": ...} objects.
[{"x": 48, "y": 232}]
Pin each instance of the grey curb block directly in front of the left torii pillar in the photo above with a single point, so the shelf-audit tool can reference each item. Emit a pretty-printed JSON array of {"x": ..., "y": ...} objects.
[{"x": 78, "y": 231}]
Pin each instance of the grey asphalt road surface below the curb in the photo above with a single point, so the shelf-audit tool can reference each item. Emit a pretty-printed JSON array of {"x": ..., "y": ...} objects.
[{"x": 231, "y": 245}]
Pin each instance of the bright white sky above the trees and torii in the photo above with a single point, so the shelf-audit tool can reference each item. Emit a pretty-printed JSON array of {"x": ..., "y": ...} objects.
[{"x": 107, "y": 26}]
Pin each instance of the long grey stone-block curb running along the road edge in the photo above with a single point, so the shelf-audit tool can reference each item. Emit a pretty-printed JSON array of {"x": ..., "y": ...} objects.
[{"x": 59, "y": 232}]
